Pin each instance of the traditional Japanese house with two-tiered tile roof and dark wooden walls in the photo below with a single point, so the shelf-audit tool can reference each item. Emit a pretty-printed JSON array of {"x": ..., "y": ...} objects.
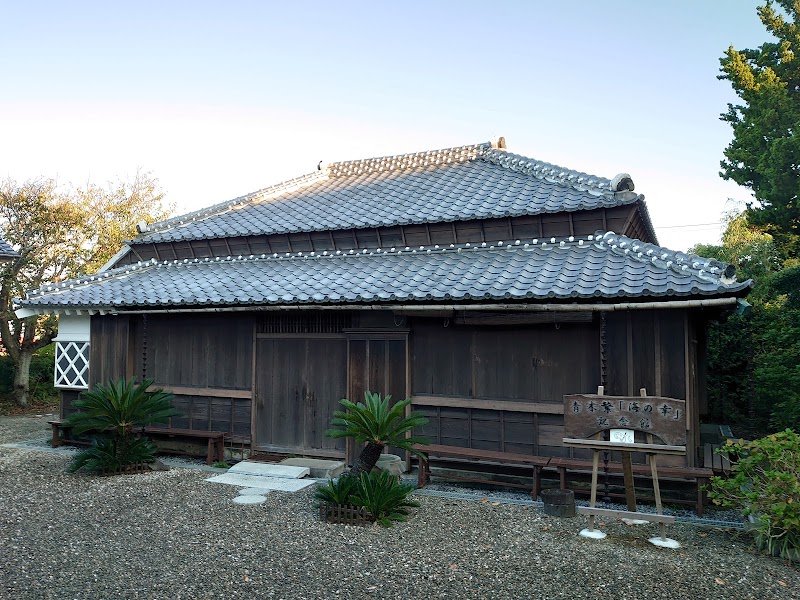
[{"x": 482, "y": 284}]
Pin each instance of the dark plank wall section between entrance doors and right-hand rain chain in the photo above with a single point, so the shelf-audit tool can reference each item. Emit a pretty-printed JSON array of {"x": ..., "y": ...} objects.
[{"x": 501, "y": 388}]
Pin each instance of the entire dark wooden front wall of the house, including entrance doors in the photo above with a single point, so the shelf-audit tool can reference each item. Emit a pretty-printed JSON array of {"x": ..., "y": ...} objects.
[{"x": 497, "y": 387}]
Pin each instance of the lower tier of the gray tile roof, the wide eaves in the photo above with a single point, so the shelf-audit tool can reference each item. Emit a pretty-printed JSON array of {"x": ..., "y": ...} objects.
[{"x": 605, "y": 266}]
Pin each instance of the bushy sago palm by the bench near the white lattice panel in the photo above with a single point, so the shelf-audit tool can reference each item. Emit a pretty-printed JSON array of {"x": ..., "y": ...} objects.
[{"x": 114, "y": 410}]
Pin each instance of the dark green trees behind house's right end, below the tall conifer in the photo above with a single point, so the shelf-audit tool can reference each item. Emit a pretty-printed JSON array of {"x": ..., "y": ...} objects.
[{"x": 754, "y": 360}]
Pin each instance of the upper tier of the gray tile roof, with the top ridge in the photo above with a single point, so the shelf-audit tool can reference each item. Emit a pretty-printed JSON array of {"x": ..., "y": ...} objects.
[{"x": 468, "y": 182}]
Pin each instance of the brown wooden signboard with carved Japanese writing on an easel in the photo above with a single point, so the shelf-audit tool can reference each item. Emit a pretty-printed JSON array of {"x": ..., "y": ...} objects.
[{"x": 587, "y": 414}]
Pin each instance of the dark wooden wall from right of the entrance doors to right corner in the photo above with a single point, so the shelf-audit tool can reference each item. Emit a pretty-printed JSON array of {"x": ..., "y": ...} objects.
[{"x": 502, "y": 388}]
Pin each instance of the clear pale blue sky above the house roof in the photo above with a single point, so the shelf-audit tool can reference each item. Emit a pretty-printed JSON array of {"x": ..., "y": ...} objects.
[{"x": 219, "y": 99}]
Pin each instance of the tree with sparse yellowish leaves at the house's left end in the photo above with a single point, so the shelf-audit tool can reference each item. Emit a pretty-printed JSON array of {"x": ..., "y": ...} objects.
[{"x": 60, "y": 235}]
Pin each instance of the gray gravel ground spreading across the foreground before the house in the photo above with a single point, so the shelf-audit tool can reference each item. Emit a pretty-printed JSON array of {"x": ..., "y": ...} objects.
[{"x": 171, "y": 535}]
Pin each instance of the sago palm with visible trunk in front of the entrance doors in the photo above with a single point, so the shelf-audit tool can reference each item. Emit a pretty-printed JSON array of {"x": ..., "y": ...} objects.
[{"x": 377, "y": 425}]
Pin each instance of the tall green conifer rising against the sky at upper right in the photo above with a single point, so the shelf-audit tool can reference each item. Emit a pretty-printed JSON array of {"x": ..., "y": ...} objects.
[{"x": 764, "y": 154}]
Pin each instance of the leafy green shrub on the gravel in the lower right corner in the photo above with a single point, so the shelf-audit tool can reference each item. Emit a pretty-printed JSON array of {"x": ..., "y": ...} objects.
[{"x": 765, "y": 483}]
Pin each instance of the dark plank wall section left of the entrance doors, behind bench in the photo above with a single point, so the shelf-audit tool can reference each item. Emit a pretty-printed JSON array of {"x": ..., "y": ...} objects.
[{"x": 204, "y": 359}]
